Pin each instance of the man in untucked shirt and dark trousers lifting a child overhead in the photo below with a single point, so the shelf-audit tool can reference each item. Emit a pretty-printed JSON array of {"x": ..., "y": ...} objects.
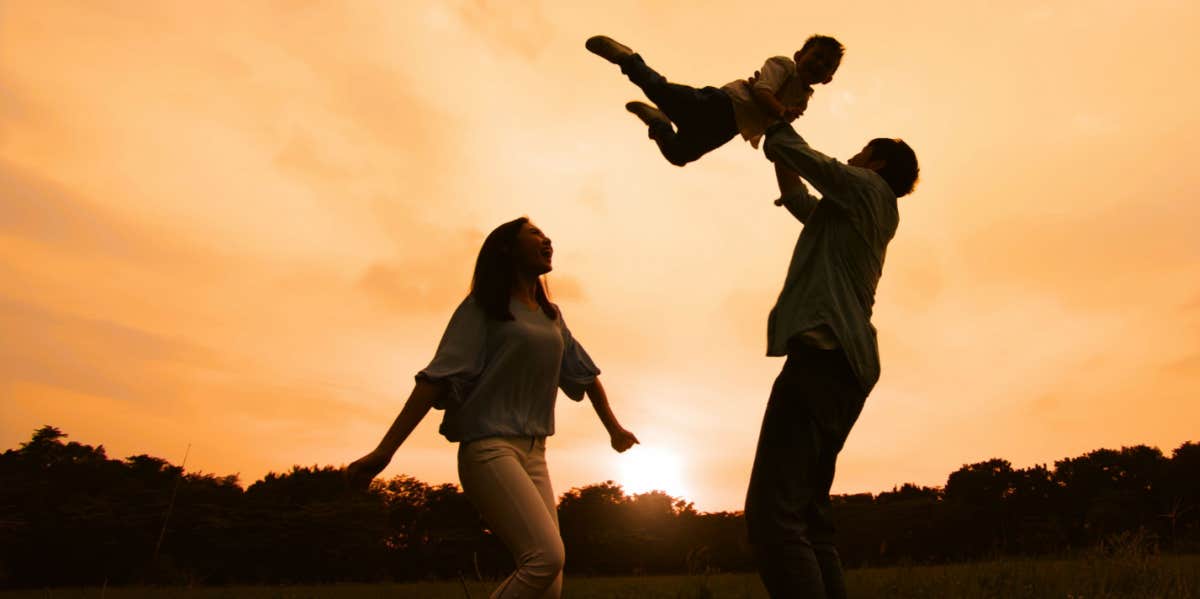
[{"x": 823, "y": 324}]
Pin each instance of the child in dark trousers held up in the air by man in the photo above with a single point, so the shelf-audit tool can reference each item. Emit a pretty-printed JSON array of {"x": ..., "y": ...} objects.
[{"x": 710, "y": 117}]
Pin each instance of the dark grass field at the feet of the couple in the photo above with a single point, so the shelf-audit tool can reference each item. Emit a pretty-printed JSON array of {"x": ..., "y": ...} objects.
[{"x": 1151, "y": 577}]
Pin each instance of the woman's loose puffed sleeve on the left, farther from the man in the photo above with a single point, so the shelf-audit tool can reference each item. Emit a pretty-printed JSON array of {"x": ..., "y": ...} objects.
[{"x": 460, "y": 358}]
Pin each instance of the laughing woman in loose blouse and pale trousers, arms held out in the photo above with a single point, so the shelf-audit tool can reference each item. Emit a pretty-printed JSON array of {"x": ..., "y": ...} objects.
[{"x": 496, "y": 373}]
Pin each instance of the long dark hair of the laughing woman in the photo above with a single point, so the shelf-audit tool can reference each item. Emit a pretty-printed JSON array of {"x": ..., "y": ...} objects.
[{"x": 496, "y": 274}]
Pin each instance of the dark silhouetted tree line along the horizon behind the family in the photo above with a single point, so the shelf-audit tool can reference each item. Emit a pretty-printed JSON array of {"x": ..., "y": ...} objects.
[{"x": 71, "y": 516}]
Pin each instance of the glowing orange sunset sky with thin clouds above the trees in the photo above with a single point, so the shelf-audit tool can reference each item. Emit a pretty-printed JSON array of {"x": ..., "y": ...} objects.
[{"x": 236, "y": 231}]
